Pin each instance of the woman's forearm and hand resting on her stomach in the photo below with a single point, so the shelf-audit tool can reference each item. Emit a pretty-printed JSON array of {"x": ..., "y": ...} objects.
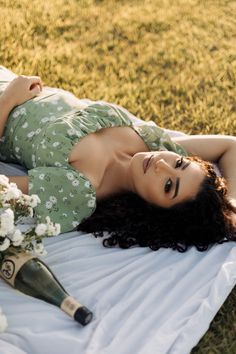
[{"x": 20, "y": 90}]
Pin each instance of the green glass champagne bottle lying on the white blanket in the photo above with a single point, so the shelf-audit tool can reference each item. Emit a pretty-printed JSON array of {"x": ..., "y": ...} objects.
[{"x": 31, "y": 276}]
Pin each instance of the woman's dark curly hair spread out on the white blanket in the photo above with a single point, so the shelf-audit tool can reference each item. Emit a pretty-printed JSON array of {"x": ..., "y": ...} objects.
[{"x": 200, "y": 222}]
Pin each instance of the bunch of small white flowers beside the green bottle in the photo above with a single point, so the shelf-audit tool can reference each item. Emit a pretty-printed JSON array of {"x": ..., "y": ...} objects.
[{"x": 17, "y": 225}]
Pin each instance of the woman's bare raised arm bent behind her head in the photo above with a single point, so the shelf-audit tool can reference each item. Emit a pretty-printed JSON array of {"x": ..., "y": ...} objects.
[{"x": 215, "y": 148}]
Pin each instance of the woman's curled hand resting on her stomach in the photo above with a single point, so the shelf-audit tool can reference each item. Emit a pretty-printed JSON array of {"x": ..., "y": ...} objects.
[{"x": 22, "y": 89}]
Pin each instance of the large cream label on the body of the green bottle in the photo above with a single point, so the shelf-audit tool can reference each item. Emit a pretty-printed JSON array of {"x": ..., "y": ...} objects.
[{"x": 11, "y": 265}]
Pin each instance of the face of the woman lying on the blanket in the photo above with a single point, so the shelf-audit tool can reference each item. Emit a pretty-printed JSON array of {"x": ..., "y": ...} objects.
[{"x": 165, "y": 178}]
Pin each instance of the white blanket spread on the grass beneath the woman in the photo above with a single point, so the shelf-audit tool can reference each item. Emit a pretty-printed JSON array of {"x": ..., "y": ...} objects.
[{"x": 144, "y": 302}]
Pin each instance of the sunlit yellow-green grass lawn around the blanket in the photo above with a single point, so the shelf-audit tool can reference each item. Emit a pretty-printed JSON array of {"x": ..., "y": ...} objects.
[{"x": 172, "y": 61}]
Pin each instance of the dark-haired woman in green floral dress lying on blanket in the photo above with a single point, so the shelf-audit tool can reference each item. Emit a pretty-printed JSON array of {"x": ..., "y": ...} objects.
[{"x": 148, "y": 191}]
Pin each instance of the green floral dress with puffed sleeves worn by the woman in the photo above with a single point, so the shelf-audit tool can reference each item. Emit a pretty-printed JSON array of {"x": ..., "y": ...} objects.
[{"x": 40, "y": 135}]
